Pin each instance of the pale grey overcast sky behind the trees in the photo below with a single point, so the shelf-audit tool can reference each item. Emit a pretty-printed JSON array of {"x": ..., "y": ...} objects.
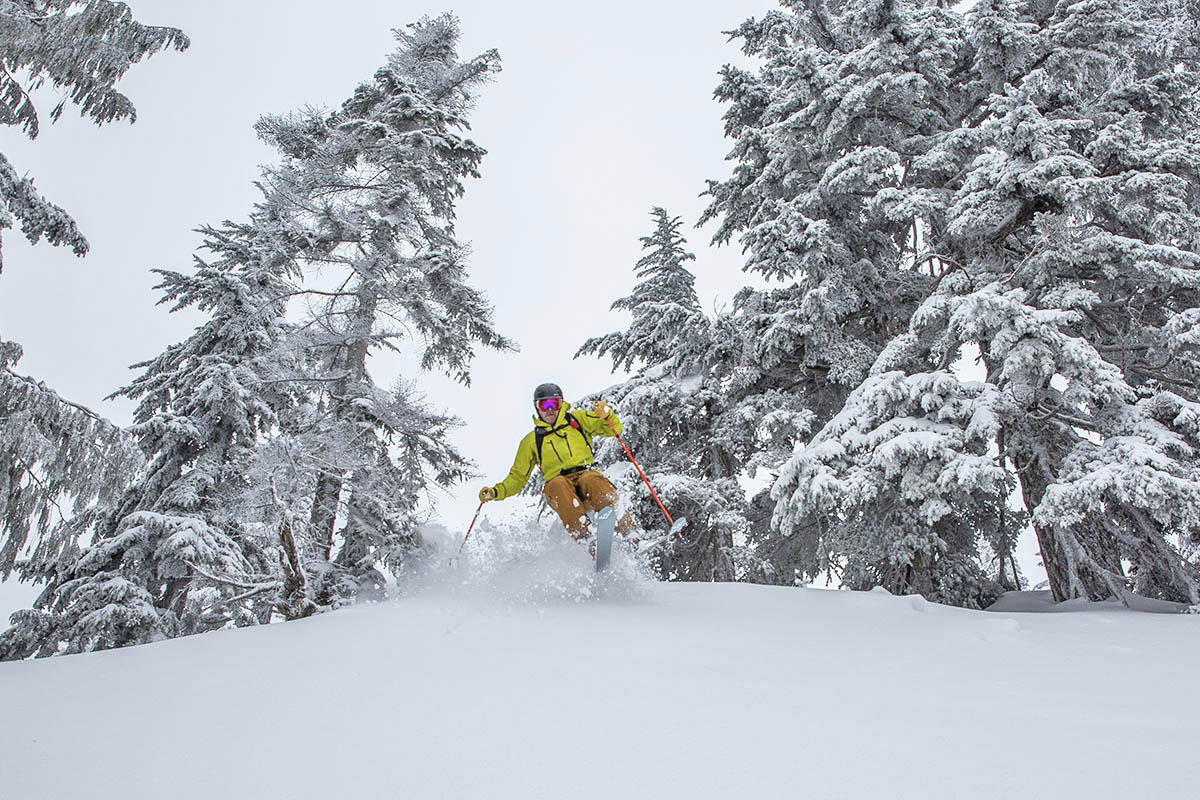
[{"x": 602, "y": 112}]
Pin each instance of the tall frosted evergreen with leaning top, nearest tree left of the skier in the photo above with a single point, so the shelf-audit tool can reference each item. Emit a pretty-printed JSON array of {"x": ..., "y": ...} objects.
[{"x": 374, "y": 188}]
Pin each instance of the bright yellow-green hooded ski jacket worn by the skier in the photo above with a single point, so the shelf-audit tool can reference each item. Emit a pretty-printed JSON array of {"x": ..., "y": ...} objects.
[{"x": 563, "y": 447}]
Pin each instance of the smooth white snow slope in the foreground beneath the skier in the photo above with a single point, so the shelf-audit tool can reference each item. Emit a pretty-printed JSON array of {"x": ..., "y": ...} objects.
[{"x": 535, "y": 682}]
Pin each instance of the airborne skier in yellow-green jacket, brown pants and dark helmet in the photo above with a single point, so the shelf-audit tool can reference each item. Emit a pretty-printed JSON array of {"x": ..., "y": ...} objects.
[{"x": 561, "y": 444}]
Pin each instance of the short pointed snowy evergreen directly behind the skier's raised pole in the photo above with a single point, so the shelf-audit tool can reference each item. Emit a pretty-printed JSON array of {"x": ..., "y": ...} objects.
[{"x": 669, "y": 412}]
